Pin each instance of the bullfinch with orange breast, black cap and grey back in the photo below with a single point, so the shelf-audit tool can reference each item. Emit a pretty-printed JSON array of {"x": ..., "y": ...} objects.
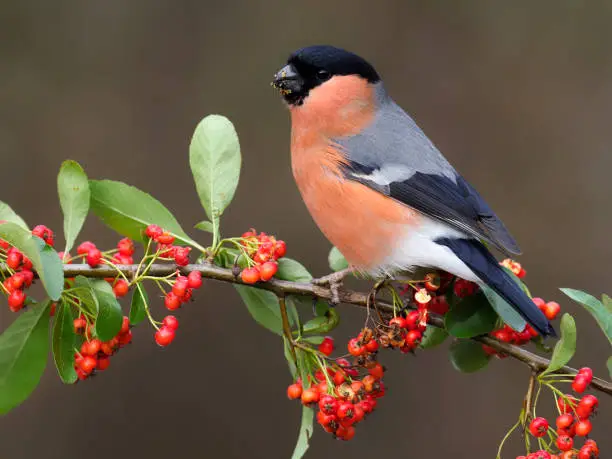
[{"x": 379, "y": 189}]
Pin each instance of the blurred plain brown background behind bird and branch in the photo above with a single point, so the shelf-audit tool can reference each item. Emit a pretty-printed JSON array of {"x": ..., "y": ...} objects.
[{"x": 518, "y": 95}]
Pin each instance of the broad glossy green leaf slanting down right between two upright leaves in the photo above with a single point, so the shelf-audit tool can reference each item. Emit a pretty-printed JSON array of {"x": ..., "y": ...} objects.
[{"x": 128, "y": 211}]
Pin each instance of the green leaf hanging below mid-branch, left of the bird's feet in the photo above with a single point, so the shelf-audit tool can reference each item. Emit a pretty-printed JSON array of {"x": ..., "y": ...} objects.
[{"x": 263, "y": 306}]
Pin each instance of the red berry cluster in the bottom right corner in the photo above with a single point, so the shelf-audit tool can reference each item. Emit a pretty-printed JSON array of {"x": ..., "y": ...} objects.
[{"x": 574, "y": 420}]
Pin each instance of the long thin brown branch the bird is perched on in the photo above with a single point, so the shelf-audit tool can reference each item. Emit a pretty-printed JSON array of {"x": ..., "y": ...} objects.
[{"x": 281, "y": 288}]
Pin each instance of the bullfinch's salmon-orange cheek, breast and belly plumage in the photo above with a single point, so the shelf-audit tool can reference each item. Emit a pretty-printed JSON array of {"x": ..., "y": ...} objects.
[{"x": 363, "y": 224}]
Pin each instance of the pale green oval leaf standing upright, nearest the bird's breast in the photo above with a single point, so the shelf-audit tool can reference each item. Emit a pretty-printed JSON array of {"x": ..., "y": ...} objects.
[{"x": 214, "y": 157}]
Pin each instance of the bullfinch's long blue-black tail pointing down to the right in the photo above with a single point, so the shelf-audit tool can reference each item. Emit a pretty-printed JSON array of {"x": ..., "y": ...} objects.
[{"x": 486, "y": 267}]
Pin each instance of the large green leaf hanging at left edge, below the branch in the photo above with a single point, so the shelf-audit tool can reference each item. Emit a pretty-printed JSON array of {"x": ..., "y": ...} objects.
[{"x": 24, "y": 347}]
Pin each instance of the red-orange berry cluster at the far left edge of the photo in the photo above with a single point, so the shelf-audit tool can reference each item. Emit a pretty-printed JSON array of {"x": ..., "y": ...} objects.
[{"x": 21, "y": 266}]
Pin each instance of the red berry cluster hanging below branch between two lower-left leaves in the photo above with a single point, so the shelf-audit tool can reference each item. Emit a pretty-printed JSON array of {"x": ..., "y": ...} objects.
[{"x": 94, "y": 354}]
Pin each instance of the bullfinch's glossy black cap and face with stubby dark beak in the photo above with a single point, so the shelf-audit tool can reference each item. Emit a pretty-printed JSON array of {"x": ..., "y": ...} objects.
[{"x": 309, "y": 67}]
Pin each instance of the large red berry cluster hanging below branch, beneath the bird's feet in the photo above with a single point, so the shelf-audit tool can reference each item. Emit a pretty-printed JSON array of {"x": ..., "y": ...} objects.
[{"x": 344, "y": 398}]
